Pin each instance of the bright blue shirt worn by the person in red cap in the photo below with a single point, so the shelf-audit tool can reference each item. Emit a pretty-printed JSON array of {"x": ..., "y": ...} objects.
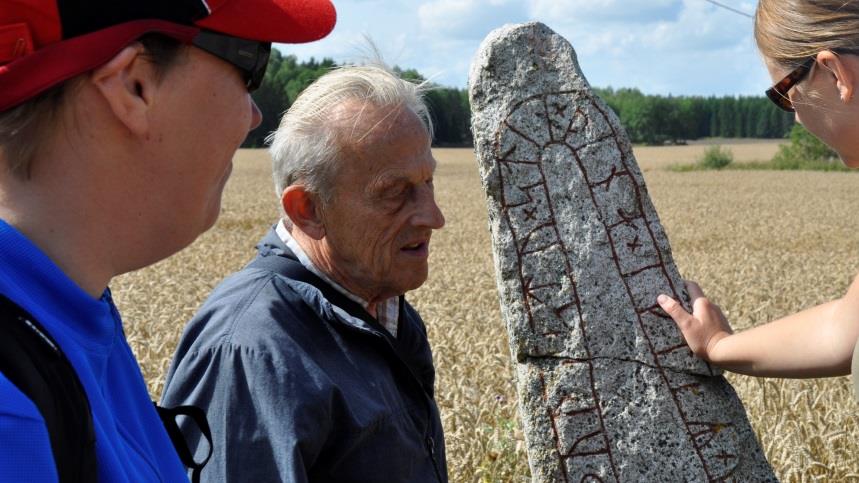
[{"x": 131, "y": 443}]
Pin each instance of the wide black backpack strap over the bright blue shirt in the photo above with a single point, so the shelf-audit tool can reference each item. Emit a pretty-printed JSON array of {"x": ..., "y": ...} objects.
[{"x": 33, "y": 361}]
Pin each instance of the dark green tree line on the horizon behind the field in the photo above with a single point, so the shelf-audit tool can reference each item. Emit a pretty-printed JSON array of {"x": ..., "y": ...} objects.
[{"x": 649, "y": 119}]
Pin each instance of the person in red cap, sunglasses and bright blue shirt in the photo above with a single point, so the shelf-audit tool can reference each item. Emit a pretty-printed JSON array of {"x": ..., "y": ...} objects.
[{"x": 118, "y": 123}]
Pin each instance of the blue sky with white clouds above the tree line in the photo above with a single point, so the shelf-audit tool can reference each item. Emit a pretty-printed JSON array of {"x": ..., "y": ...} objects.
[{"x": 679, "y": 47}]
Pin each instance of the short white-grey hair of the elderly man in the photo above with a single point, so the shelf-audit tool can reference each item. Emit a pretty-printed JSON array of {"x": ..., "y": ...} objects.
[{"x": 307, "y": 146}]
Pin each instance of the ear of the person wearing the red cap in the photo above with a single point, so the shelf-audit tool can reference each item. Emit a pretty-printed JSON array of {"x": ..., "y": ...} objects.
[{"x": 127, "y": 83}]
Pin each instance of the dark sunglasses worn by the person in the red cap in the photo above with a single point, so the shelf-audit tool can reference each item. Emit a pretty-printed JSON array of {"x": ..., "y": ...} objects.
[{"x": 249, "y": 56}]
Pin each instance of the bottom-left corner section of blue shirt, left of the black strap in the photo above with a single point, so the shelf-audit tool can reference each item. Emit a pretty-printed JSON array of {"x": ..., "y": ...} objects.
[{"x": 25, "y": 448}]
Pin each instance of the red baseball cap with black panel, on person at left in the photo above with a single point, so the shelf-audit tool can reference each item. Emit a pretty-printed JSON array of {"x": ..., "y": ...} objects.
[{"x": 46, "y": 42}]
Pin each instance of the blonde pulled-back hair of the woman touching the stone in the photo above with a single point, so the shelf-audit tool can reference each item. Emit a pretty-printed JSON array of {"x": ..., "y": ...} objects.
[{"x": 790, "y": 31}]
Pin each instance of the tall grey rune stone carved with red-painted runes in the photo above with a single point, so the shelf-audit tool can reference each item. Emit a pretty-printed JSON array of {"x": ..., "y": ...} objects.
[{"x": 608, "y": 389}]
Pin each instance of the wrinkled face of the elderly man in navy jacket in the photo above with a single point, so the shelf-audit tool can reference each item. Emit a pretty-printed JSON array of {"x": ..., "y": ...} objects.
[{"x": 379, "y": 223}]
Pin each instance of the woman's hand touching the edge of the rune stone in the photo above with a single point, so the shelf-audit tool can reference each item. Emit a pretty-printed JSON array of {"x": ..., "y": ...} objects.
[{"x": 704, "y": 328}]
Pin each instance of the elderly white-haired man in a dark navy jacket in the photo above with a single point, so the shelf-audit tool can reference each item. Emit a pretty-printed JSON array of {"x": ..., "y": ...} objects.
[{"x": 309, "y": 361}]
